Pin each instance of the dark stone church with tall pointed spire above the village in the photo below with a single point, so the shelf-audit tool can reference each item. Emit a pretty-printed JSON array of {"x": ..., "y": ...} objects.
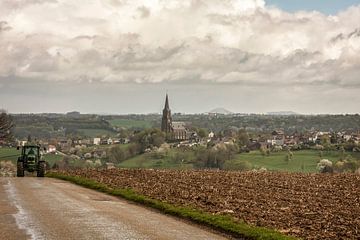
[{"x": 176, "y": 130}]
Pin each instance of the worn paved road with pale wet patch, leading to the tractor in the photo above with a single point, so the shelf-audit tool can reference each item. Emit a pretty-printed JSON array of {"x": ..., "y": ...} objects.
[{"x": 43, "y": 208}]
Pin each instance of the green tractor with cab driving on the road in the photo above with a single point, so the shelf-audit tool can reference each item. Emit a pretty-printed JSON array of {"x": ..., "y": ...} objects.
[{"x": 30, "y": 160}]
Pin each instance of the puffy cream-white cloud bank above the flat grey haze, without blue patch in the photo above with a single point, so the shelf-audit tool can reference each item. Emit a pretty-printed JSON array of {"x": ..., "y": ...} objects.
[{"x": 243, "y": 42}]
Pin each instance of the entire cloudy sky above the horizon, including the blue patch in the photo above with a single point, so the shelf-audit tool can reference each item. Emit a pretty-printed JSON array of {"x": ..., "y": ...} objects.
[{"x": 123, "y": 56}]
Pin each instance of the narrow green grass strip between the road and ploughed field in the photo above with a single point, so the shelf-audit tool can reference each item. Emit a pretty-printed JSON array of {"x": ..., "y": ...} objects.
[{"x": 223, "y": 223}]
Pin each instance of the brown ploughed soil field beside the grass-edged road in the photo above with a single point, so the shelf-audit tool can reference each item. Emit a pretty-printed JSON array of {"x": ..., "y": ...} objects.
[{"x": 310, "y": 206}]
